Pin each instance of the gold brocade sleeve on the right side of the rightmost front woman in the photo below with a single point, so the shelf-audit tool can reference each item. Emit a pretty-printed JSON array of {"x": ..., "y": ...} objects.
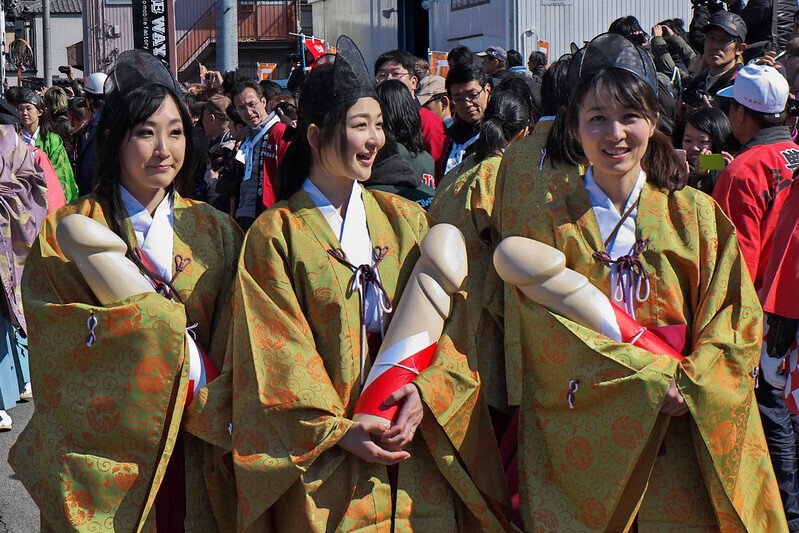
[{"x": 718, "y": 377}]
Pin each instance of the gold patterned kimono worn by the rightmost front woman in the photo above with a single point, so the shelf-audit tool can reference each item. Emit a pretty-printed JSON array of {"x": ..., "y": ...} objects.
[{"x": 613, "y": 456}]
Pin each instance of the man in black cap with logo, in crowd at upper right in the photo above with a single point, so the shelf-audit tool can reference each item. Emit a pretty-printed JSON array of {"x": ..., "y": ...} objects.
[{"x": 725, "y": 33}]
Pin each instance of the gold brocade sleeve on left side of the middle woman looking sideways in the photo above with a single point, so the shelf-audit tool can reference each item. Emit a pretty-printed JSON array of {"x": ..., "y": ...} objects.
[{"x": 286, "y": 411}]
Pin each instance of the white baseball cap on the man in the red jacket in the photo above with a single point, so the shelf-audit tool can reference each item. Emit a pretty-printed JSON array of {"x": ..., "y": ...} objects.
[{"x": 759, "y": 88}]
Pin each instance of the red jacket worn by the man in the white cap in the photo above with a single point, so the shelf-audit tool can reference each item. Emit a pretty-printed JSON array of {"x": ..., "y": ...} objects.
[{"x": 752, "y": 190}]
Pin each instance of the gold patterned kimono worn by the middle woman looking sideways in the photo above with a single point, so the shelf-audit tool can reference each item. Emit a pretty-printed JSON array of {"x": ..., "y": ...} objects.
[{"x": 293, "y": 373}]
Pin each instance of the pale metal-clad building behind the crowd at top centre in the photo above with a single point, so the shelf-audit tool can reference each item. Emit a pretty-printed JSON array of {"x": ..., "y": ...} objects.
[{"x": 416, "y": 25}]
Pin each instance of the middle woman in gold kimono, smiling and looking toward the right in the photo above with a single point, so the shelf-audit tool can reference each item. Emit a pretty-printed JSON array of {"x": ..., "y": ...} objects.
[{"x": 321, "y": 265}]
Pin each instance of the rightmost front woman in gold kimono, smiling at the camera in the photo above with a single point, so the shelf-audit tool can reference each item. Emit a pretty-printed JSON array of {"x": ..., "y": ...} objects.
[{"x": 611, "y": 436}]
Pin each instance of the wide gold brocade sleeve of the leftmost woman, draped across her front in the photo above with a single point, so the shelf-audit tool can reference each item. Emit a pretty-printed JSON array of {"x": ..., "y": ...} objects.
[{"x": 96, "y": 449}]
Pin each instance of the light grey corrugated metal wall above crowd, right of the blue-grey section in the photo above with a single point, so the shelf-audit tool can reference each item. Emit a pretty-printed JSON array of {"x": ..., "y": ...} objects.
[{"x": 560, "y": 25}]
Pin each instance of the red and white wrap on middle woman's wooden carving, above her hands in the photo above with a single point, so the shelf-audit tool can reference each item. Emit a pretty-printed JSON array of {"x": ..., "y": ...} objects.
[{"x": 394, "y": 368}]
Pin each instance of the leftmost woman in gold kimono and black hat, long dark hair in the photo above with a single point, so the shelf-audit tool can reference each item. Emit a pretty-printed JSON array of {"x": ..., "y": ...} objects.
[{"x": 105, "y": 449}]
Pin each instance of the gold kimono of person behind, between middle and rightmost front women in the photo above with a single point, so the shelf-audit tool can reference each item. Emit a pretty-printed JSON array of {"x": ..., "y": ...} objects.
[{"x": 465, "y": 199}]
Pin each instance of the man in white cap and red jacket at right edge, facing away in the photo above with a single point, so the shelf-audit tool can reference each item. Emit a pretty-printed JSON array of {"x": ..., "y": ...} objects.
[{"x": 752, "y": 191}]
